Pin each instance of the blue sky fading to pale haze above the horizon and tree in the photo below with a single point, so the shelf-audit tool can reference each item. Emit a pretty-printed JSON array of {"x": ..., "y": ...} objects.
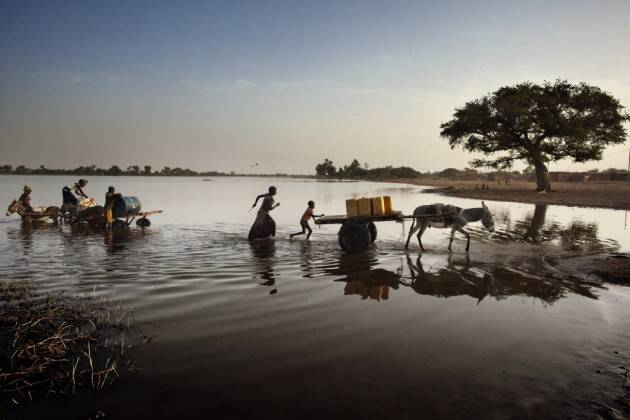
[{"x": 213, "y": 85}]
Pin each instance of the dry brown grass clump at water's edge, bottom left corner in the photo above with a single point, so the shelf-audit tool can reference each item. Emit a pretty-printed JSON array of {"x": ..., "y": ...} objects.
[{"x": 55, "y": 344}]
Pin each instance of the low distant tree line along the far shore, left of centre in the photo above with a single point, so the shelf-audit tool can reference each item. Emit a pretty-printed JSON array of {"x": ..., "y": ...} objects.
[{"x": 115, "y": 170}]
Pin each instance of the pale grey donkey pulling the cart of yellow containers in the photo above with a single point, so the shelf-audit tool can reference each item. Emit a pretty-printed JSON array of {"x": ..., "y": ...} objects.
[{"x": 447, "y": 216}]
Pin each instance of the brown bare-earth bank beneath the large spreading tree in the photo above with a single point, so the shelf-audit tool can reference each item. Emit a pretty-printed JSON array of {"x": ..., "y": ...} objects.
[{"x": 614, "y": 195}]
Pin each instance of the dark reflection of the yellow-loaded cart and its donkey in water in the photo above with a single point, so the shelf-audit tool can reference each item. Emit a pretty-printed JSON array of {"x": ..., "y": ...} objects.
[{"x": 450, "y": 275}]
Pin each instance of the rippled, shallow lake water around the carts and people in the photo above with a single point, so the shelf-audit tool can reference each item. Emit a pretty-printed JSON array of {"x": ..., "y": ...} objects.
[{"x": 280, "y": 329}]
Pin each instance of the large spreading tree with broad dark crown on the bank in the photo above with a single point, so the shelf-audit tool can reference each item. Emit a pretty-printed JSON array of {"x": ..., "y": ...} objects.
[{"x": 538, "y": 124}]
